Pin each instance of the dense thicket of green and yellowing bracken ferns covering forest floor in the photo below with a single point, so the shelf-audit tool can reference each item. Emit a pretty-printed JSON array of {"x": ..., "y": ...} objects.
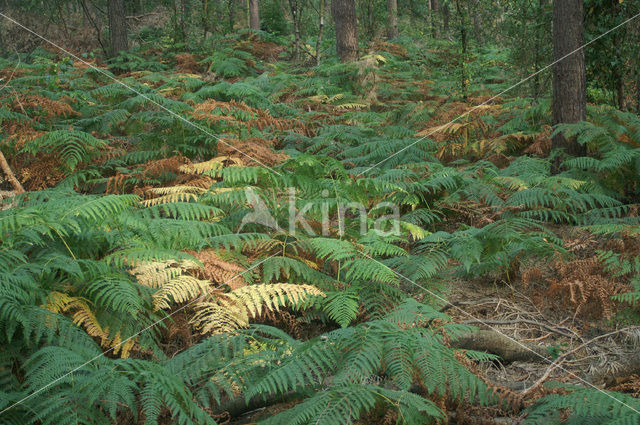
[{"x": 131, "y": 240}]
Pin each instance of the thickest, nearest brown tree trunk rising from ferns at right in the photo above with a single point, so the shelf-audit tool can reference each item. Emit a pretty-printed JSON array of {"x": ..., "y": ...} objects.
[{"x": 569, "y": 74}]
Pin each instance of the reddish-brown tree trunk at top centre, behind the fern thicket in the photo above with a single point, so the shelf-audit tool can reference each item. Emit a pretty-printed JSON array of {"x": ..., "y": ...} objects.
[{"x": 344, "y": 15}]
